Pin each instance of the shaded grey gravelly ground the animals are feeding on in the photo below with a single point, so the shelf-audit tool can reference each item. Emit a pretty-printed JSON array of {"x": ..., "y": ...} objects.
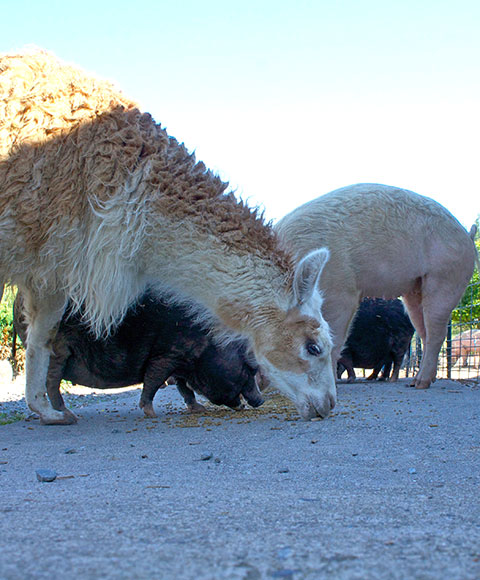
[{"x": 387, "y": 487}]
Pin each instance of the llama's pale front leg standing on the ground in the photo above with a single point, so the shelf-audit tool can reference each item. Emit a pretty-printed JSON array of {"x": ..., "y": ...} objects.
[{"x": 43, "y": 322}]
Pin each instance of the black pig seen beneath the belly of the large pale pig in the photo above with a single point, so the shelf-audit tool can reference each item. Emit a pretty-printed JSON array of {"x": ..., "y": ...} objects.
[{"x": 379, "y": 336}]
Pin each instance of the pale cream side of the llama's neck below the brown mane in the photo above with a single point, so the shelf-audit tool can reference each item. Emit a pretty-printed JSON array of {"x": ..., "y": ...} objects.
[{"x": 240, "y": 288}]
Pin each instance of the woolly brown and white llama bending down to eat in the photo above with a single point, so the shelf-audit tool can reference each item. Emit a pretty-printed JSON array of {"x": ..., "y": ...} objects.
[{"x": 97, "y": 202}]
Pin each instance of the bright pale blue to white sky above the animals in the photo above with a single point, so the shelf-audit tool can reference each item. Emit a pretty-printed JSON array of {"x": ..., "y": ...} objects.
[{"x": 290, "y": 99}]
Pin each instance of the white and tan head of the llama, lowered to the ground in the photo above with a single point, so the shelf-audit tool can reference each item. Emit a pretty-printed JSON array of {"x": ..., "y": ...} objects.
[{"x": 292, "y": 342}]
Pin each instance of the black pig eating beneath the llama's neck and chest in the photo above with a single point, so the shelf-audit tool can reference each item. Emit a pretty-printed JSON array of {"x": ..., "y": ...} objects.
[{"x": 153, "y": 342}]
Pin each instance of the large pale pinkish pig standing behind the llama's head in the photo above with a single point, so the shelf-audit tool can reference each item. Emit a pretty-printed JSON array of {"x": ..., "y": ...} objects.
[{"x": 385, "y": 242}]
